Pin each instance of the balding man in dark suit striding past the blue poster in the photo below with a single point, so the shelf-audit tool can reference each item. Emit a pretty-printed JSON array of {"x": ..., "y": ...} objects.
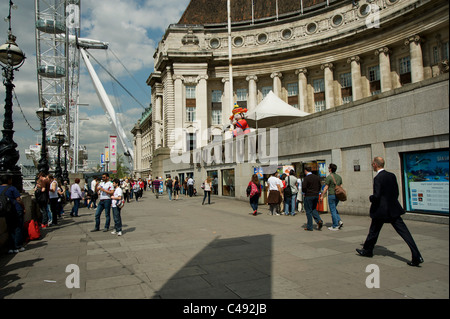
[{"x": 385, "y": 208}]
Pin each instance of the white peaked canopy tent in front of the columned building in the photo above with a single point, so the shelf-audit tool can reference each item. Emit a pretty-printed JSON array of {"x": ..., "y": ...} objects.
[{"x": 272, "y": 110}]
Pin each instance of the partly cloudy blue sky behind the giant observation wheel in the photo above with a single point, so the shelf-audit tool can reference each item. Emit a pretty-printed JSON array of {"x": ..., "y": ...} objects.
[{"x": 132, "y": 28}]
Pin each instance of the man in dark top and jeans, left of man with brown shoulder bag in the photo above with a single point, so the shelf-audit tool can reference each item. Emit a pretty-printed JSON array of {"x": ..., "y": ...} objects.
[{"x": 311, "y": 188}]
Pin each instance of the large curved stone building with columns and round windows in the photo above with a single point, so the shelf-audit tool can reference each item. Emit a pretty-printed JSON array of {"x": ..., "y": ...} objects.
[{"x": 332, "y": 59}]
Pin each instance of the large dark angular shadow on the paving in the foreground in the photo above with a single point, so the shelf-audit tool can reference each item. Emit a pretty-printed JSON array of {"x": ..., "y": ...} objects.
[{"x": 226, "y": 268}]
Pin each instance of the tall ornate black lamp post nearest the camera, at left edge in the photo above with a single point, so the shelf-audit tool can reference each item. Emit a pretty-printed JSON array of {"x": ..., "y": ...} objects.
[{"x": 11, "y": 59}]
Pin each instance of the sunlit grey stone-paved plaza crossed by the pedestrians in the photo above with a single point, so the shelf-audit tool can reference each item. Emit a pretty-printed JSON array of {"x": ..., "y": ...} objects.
[{"x": 181, "y": 249}]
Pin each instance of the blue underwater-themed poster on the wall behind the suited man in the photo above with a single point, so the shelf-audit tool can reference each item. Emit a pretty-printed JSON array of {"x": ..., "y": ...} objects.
[{"x": 426, "y": 181}]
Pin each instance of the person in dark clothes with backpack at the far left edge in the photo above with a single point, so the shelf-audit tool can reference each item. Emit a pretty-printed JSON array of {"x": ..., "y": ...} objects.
[{"x": 13, "y": 209}]
